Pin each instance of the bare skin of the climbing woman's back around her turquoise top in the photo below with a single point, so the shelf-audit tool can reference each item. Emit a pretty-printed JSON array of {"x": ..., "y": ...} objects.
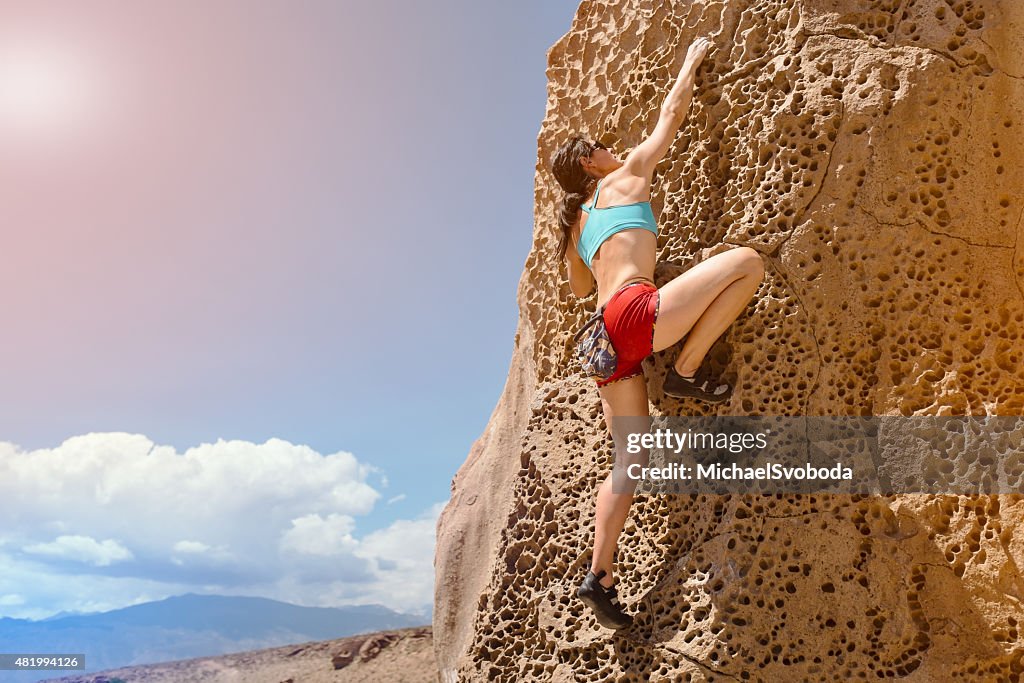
[{"x": 627, "y": 255}]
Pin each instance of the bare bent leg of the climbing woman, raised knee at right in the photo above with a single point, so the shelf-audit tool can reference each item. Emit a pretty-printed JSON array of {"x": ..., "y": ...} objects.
[{"x": 705, "y": 302}]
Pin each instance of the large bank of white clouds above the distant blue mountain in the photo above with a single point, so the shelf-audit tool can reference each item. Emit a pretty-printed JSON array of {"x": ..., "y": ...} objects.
[{"x": 116, "y": 518}]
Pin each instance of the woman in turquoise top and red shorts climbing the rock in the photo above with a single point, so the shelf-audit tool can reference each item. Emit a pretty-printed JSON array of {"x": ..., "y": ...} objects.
[{"x": 608, "y": 221}]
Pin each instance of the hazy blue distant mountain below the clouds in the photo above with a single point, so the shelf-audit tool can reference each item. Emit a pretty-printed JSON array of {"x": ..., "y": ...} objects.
[{"x": 185, "y": 627}]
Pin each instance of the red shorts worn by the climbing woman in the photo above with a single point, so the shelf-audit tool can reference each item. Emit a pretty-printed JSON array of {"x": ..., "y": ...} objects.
[{"x": 630, "y": 318}]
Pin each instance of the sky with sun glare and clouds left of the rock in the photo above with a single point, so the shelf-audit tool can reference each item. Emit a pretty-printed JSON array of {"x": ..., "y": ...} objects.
[{"x": 259, "y": 290}]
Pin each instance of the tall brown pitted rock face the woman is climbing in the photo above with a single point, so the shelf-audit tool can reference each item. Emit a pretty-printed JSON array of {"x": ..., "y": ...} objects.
[{"x": 872, "y": 152}]
